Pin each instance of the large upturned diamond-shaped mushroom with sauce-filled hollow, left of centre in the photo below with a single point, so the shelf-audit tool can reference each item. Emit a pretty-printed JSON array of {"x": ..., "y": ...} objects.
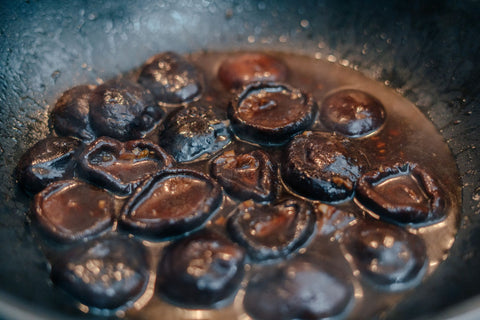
[{"x": 172, "y": 203}]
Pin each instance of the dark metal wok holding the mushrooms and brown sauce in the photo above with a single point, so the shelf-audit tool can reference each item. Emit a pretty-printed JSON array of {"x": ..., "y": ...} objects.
[{"x": 427, "y": 51}]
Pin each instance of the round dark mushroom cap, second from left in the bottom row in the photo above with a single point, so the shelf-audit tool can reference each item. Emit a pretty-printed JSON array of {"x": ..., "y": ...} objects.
[{"x": 202, "y": 270}]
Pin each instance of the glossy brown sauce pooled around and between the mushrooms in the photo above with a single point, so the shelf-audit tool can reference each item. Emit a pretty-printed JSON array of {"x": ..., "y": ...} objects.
[{"x": 406, "y": 135}]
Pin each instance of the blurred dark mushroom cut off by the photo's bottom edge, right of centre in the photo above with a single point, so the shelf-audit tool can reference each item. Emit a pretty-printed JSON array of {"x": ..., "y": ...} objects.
[{"x": 299, "y": 289}]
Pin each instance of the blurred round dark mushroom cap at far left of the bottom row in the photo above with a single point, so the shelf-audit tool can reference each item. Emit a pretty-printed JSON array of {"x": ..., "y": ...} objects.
[{"x": 106, "y": 273}]
